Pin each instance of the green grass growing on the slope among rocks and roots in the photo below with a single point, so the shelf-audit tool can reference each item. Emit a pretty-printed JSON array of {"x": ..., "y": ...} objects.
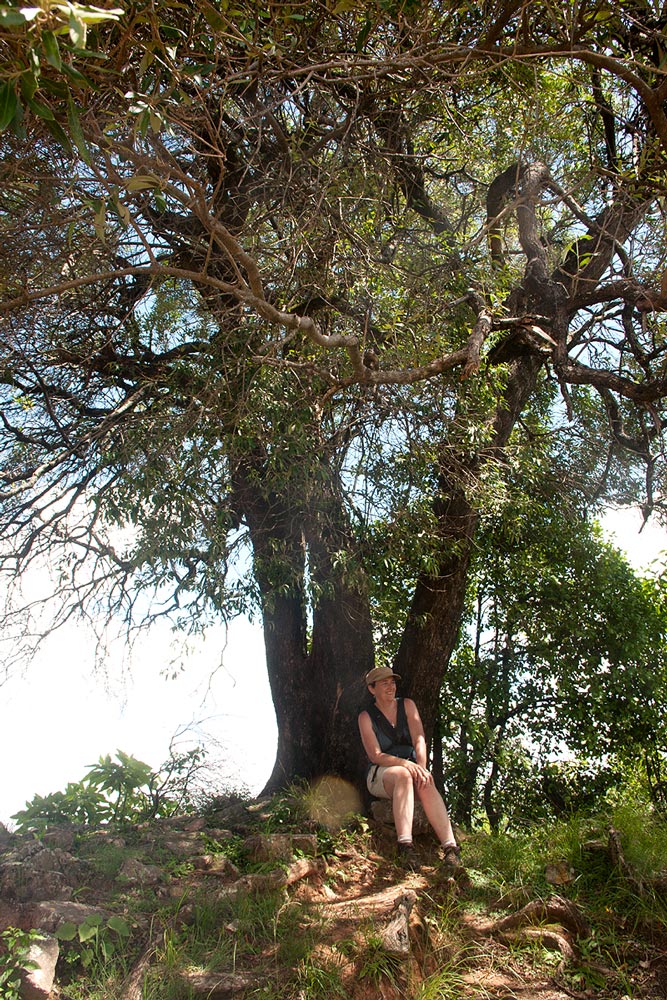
[{"x": 292, "y": 950}]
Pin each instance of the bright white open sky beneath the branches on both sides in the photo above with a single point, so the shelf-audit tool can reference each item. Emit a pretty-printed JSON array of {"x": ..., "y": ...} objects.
[{"x": 60, "y": 717}]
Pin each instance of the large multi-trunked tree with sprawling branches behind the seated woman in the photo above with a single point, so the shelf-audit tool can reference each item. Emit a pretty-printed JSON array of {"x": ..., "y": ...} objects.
[{"x": 305, "y": 282}]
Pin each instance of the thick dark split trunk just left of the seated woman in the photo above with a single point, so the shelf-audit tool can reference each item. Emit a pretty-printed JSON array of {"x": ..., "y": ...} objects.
[{"x": 317, "y": 686}]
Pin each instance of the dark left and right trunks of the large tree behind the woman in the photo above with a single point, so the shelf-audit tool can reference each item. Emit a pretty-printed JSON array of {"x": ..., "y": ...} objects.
[{"x": 317, "y": 687}]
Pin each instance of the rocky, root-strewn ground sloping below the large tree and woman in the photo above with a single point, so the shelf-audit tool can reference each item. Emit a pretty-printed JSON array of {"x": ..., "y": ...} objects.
[{"x": 377, "y": 929}]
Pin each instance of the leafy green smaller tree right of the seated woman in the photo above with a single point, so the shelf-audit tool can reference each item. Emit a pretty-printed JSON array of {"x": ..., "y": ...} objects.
[{"x": 565, "y": 654}]
